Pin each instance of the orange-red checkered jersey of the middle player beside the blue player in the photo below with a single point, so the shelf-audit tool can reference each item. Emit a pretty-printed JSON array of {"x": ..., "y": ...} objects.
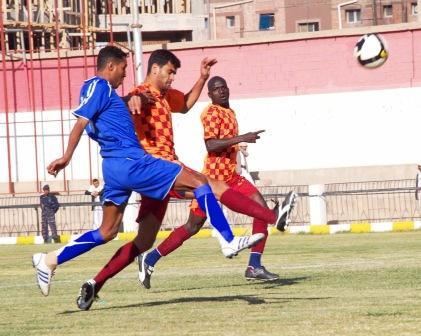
[{"x": 154, "y": 124}]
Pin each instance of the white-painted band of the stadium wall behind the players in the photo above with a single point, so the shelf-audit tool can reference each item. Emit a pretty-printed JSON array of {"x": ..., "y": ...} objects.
[{"x": 363, "y": 128}]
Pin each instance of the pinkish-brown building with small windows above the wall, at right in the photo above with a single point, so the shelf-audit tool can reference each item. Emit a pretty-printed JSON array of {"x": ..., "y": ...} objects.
[{"x": 270, "y": 17}]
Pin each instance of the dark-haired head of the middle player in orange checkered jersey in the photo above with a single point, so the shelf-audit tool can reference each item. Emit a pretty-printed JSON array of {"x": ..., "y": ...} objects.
[{"x": 162, "y": 68}]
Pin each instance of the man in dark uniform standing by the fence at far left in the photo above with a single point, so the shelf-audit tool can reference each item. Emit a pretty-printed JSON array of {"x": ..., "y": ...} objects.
[{"x": 49, "y": 207}]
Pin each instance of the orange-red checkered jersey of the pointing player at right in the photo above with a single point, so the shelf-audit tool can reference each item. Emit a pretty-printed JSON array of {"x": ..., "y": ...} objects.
[{"x": 220, "y": 123}]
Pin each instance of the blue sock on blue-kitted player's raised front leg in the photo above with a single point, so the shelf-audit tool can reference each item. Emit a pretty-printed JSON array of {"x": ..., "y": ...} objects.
[{"x": 209, "y": 205}]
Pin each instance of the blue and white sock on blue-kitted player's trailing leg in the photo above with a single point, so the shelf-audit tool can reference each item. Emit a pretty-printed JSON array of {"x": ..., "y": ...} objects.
[{"x": 83, "y": 244}]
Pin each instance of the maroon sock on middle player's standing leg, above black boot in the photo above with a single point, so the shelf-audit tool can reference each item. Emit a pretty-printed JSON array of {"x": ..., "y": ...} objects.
[{"x": 123, "y": 257}]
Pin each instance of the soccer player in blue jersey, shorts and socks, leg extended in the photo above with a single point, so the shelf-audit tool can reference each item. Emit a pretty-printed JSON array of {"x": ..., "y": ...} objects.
[{"x": 126, "y": 168}]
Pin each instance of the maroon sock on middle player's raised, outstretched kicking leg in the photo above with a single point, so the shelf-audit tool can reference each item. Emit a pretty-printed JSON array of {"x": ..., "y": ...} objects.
[{"x": 242, "y": 204}]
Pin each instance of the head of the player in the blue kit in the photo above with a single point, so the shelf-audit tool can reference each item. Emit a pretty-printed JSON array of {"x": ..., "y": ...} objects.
[{"x": 112, "y": 64}]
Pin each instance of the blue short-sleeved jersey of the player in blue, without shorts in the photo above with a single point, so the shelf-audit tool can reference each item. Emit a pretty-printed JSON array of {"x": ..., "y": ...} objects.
[{"x": 110, "y": 123}]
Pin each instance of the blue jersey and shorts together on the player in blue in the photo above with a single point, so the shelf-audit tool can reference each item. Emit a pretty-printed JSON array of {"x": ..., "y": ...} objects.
[{"x": 126, "y": 166}]
